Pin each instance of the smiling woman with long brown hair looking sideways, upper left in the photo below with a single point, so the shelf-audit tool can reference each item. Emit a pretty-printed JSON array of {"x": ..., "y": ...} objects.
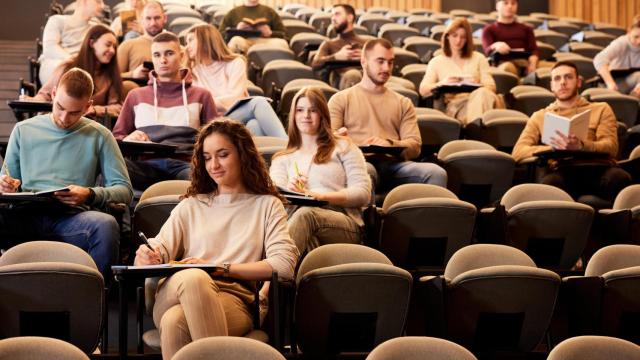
[{"x": 98, "y": 57}]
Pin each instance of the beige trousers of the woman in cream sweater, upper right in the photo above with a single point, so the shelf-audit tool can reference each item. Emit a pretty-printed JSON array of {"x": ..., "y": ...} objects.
[{"x": 470, "y": 106}]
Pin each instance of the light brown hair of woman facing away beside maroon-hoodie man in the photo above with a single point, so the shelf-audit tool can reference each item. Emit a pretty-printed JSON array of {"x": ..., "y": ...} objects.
[{"x": 211, "y": 46}]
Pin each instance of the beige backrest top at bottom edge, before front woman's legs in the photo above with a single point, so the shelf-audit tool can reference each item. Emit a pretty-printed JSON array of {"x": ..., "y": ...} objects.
[{"x": 227, "y": 347}]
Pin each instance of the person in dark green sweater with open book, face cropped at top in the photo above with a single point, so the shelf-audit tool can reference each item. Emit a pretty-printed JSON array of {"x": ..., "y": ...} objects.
[{"x": 253, "y": 17}]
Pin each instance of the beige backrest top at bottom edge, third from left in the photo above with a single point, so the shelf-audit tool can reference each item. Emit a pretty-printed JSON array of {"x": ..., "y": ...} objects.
[{"x": 419, "y": 348}]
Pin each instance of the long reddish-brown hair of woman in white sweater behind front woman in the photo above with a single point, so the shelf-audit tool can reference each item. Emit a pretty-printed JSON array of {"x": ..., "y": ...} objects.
[{"x": 326, "y": 140}]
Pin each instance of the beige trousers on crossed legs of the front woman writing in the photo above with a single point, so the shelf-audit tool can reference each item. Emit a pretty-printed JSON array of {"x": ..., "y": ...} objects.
[{"x": 190, "y": 305}]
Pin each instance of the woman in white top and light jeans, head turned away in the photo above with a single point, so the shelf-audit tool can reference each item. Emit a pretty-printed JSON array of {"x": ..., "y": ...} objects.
[{"x": 217, "y": 69}]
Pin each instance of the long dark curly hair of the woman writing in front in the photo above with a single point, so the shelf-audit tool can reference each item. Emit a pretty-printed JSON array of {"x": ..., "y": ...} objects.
[{"x": 255, "y": 175}]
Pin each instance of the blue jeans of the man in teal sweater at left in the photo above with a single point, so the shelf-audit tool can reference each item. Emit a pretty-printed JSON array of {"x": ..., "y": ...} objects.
[{"x": 94, "y": 232}]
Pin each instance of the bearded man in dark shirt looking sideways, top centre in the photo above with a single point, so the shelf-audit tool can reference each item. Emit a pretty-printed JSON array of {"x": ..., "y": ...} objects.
[{"x": 346, "y": 46}]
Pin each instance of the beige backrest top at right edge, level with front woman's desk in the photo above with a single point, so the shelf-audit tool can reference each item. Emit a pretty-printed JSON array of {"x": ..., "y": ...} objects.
[{"x": 613, "y": 257}]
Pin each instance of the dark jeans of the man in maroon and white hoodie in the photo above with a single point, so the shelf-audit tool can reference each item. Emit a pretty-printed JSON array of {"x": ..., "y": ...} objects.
[{"x": 144, "y": 173}]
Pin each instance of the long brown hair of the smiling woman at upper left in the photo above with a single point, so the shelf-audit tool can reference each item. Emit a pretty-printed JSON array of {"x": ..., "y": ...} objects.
[{"x": 87, "y": 60}]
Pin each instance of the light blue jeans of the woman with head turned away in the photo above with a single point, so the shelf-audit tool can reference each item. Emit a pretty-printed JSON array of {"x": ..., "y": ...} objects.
[{"x": 259, "y": 117}]
